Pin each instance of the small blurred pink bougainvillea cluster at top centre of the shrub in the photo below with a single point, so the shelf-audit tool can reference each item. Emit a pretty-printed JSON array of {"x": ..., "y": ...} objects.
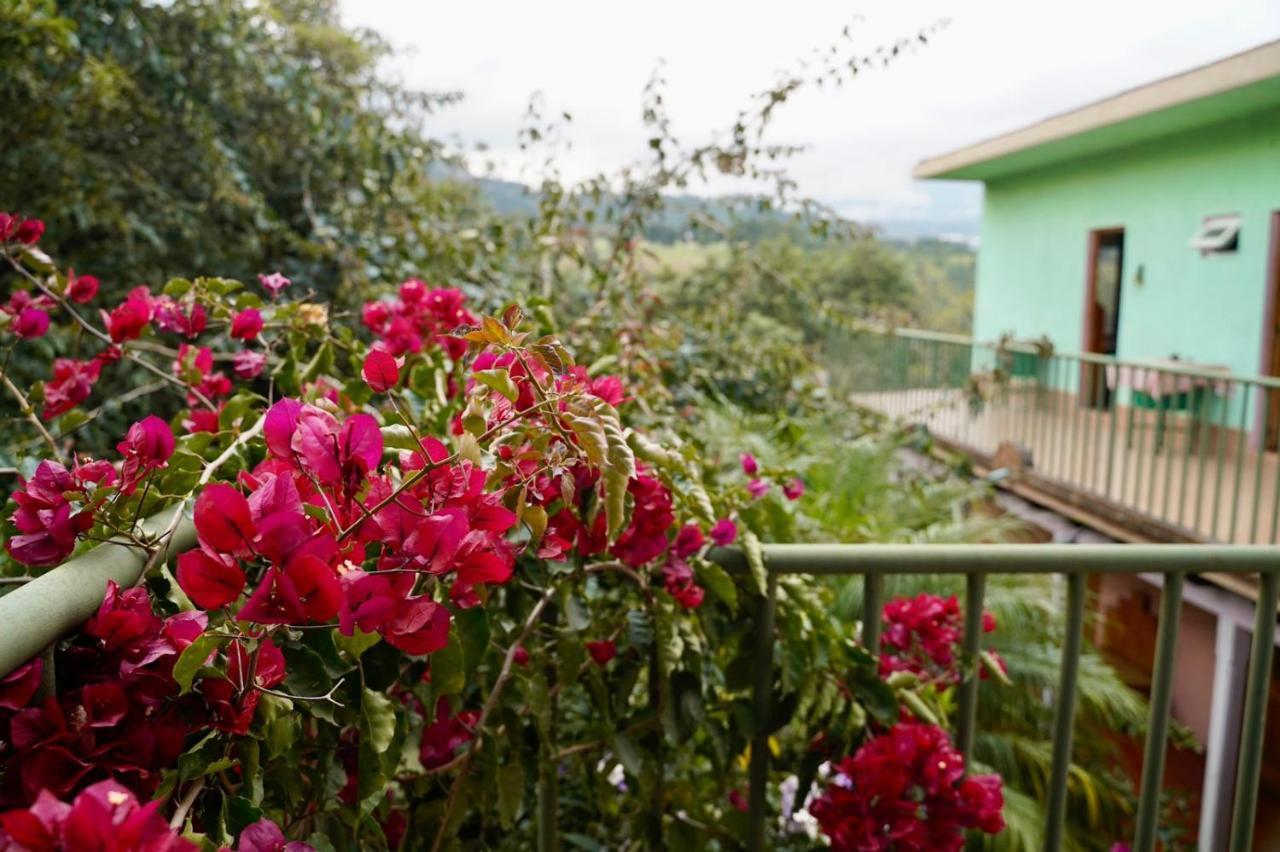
[{"x": 418, "y": 318}]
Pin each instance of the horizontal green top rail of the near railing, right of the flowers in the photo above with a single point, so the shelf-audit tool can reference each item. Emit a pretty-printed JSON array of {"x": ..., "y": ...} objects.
[{"x": 1009, "y": 558}]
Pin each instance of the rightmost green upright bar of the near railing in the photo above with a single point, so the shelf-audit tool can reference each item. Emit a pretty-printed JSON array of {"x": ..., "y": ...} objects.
[{"x": 1255, "y": 720}]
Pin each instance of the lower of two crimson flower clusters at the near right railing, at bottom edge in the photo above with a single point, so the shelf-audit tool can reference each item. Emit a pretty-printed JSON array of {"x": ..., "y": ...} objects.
[{"x": 906, "y": 790}]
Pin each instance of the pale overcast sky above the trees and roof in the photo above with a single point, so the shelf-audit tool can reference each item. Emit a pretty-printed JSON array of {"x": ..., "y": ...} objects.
[{"x": 998, "y": 66}]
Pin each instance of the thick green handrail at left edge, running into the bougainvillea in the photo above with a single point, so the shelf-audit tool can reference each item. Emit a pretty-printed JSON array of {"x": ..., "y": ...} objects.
[{"x": 54, "y": 604}]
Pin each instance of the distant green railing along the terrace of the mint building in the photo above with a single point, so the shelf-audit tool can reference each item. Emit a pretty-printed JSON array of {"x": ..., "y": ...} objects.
[{"x": 1191, "y": 448}]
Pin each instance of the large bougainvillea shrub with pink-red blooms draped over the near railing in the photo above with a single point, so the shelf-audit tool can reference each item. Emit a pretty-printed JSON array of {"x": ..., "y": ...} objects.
[{"x": 429, "y": 583}]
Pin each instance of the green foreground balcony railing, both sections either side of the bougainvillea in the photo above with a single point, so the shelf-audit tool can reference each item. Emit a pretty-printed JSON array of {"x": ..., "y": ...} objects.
[{"x": 39, "y": 613}]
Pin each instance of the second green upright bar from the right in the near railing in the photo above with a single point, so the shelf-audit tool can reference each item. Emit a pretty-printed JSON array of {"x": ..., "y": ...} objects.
[{"x": 1158, "y": 720}]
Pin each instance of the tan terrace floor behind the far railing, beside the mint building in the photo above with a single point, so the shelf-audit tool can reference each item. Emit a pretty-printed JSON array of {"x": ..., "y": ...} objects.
[{"x": 1210, "y": 484}]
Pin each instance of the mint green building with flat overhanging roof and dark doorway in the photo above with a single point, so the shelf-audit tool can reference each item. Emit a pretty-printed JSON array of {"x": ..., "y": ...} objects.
[{"x": 1145, "y": 226}]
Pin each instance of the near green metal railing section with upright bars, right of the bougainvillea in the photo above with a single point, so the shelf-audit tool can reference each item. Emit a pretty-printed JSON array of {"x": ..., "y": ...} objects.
[{"x": 1075, "y": 564}]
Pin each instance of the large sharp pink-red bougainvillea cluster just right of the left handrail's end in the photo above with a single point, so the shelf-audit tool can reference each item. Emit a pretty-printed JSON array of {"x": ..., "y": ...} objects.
[{"x": 445, "y": 525}]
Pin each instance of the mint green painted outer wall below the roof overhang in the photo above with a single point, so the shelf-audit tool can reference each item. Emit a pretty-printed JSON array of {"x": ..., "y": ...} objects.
[{"x": 1035, "y": 251}]
